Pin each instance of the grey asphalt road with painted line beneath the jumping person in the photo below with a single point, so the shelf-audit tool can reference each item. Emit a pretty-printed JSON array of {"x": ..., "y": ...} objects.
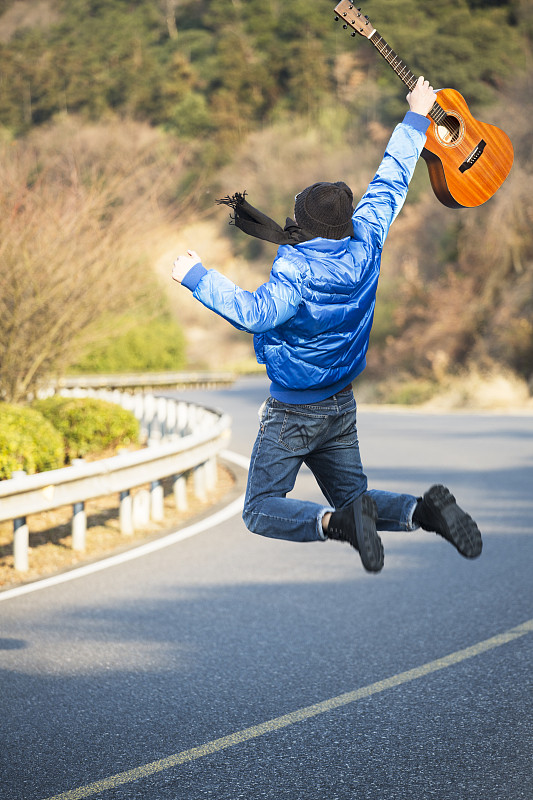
[{"x": 229, "y": 666}]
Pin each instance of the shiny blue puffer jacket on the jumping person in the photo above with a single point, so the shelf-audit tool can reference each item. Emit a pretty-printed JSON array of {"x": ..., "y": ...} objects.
[{"x": 311, "y": 321}]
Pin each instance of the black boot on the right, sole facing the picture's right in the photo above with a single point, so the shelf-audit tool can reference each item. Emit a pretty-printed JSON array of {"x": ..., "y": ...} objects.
[{"x": 438, "y": 511}]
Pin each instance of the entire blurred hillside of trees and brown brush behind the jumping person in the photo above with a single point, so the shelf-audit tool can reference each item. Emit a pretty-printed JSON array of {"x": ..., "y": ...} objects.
[{"x": 122, "y": 120}]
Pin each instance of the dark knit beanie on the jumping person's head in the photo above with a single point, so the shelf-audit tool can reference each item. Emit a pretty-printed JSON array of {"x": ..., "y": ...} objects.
[{"x": 325, "y": 209}]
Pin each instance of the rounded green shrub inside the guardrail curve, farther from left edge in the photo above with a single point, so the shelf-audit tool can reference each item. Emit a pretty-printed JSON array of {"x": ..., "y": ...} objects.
[{"x": 89, "y": 425}]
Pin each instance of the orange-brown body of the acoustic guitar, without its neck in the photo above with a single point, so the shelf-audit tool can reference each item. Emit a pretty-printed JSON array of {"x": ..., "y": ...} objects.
[{"x": 467, "y": 160}]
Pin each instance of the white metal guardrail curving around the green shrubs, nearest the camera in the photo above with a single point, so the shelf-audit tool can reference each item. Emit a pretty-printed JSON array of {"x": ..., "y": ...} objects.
[{"x": 182, "y": 438}]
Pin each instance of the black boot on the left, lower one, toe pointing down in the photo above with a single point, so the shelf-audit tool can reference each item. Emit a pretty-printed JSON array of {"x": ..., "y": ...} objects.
[{"x": 356, "y": 524}]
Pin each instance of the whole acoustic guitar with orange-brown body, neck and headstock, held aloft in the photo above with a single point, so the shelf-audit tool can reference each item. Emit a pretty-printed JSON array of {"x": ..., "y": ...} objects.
[{"x": 467, "y": 160}]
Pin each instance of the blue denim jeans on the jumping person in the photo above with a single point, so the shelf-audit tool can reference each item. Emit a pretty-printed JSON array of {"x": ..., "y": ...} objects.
[{"x": 323, "y": 436}]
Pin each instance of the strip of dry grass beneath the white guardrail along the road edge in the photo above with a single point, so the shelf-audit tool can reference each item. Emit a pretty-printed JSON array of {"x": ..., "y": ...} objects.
[{"x": 50, "y": 533}]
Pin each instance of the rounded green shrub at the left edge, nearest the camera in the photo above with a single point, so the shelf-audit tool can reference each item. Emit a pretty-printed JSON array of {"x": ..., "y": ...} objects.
[{"x": 28, "y": 441}]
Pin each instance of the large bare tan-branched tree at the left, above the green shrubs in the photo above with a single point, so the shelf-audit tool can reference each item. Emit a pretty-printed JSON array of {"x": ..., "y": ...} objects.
[{"x": 78, "y": 210}]
